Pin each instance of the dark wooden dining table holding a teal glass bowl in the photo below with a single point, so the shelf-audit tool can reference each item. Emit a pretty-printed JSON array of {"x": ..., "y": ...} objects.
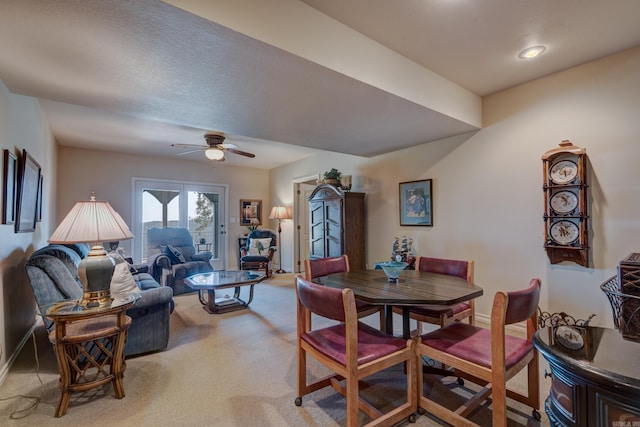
[{"x": 412, "y": 288}]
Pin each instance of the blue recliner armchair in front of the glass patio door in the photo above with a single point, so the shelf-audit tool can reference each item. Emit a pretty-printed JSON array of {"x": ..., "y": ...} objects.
[{"x": 171, "y": 257}]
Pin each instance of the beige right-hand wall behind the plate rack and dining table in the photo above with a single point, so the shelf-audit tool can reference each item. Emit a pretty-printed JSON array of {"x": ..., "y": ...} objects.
[{"x": 488, "y": 200}]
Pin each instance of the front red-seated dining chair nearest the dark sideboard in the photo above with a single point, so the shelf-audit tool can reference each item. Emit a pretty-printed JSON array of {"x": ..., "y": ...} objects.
[{"x": 488, "y": 357}]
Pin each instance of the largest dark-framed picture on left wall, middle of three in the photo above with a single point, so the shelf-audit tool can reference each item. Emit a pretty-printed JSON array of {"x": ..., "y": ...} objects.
[{"x": 27, "y": 196}]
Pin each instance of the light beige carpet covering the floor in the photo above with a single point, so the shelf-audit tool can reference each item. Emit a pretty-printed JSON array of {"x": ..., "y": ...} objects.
[{"x": 234, "y": 369}]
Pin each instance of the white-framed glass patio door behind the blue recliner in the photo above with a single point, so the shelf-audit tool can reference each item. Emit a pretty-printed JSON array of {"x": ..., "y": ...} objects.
[{"x": 201, "y": 208}]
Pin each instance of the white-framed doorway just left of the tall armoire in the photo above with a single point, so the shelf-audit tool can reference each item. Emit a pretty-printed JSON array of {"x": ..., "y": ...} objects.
[{"x": 302, "y": 189}]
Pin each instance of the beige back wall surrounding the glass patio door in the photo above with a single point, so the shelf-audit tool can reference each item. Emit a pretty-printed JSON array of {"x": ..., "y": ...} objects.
[{"x": 110, "y": 175}]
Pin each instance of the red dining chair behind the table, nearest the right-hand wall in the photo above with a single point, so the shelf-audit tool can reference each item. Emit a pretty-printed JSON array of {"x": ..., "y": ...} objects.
[{"x": 444, "y": 314}]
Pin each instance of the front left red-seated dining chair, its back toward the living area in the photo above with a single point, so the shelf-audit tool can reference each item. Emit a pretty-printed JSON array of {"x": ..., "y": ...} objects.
[{"x": 352, "y": 350}]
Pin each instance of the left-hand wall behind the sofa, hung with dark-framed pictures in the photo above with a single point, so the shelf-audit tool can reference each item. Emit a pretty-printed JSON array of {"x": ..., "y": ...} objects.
[{"x": 22, "y": 126}]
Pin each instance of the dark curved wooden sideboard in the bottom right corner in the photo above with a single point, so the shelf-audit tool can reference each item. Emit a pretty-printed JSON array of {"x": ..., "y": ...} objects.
[{"x": 597, "y": 384}]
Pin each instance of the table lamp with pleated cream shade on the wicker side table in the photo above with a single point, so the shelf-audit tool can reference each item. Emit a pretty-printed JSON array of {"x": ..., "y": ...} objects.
[{"x": 93, "y": 222}]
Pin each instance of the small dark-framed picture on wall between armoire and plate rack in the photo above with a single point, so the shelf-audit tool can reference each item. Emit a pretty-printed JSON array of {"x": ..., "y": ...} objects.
[{"x": 416, "y": 204}]
